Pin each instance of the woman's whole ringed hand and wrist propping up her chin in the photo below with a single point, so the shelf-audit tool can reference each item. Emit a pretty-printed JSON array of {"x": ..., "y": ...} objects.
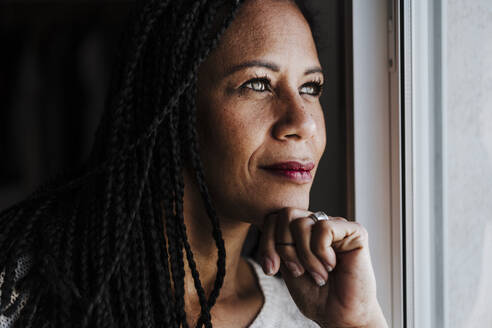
[{"x": 326, "y": 266}]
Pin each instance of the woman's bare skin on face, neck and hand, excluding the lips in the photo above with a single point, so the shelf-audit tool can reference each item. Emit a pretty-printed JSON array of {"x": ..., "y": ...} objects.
[{"x": 252, "y": 116}]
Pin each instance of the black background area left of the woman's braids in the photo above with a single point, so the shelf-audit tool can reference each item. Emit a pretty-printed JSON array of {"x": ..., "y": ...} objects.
[{"x": 53, "y": 79}]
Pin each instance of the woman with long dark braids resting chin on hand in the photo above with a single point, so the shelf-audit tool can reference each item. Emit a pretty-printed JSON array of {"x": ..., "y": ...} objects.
[{"x": 126, "y": 243}]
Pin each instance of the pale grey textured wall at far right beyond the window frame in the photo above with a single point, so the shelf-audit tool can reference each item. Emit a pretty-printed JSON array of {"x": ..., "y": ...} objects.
[{"x": 469, "y": 163}]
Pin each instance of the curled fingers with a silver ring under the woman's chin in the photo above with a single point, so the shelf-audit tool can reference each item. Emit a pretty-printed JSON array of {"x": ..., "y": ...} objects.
[{"x": 310, "y": 246}]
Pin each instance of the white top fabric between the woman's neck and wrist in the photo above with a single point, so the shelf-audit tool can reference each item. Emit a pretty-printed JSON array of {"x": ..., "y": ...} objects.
[{"x": 279, "y": 309}]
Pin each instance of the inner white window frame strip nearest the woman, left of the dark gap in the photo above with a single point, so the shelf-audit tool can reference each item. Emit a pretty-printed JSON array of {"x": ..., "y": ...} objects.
[{"x": 376, "y": 147}]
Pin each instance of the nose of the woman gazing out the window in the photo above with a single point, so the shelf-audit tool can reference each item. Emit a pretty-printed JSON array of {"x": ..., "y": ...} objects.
[{"x": 296, "y": 122}]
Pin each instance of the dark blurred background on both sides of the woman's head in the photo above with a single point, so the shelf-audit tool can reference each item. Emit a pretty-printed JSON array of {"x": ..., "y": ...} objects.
[{"x": 55, "y": 65}]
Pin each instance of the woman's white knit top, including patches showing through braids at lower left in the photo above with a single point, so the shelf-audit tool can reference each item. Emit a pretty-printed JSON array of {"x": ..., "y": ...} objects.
[{"x": 278, "y": 310}]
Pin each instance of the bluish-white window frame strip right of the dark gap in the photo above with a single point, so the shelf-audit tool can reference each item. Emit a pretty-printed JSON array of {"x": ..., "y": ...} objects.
[{"x": 424, "y": 119}]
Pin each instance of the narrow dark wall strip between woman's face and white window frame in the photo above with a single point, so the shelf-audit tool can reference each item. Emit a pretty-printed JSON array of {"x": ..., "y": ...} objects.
[{"x": 332, "y": 189}]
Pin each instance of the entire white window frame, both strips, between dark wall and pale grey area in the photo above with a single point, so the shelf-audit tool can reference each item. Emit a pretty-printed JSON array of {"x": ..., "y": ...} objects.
[{"x": 398, "y": 151}]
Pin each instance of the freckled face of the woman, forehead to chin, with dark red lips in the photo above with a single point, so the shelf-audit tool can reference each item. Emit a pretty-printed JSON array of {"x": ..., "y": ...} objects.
[{"x": 257, "y": 107}]
